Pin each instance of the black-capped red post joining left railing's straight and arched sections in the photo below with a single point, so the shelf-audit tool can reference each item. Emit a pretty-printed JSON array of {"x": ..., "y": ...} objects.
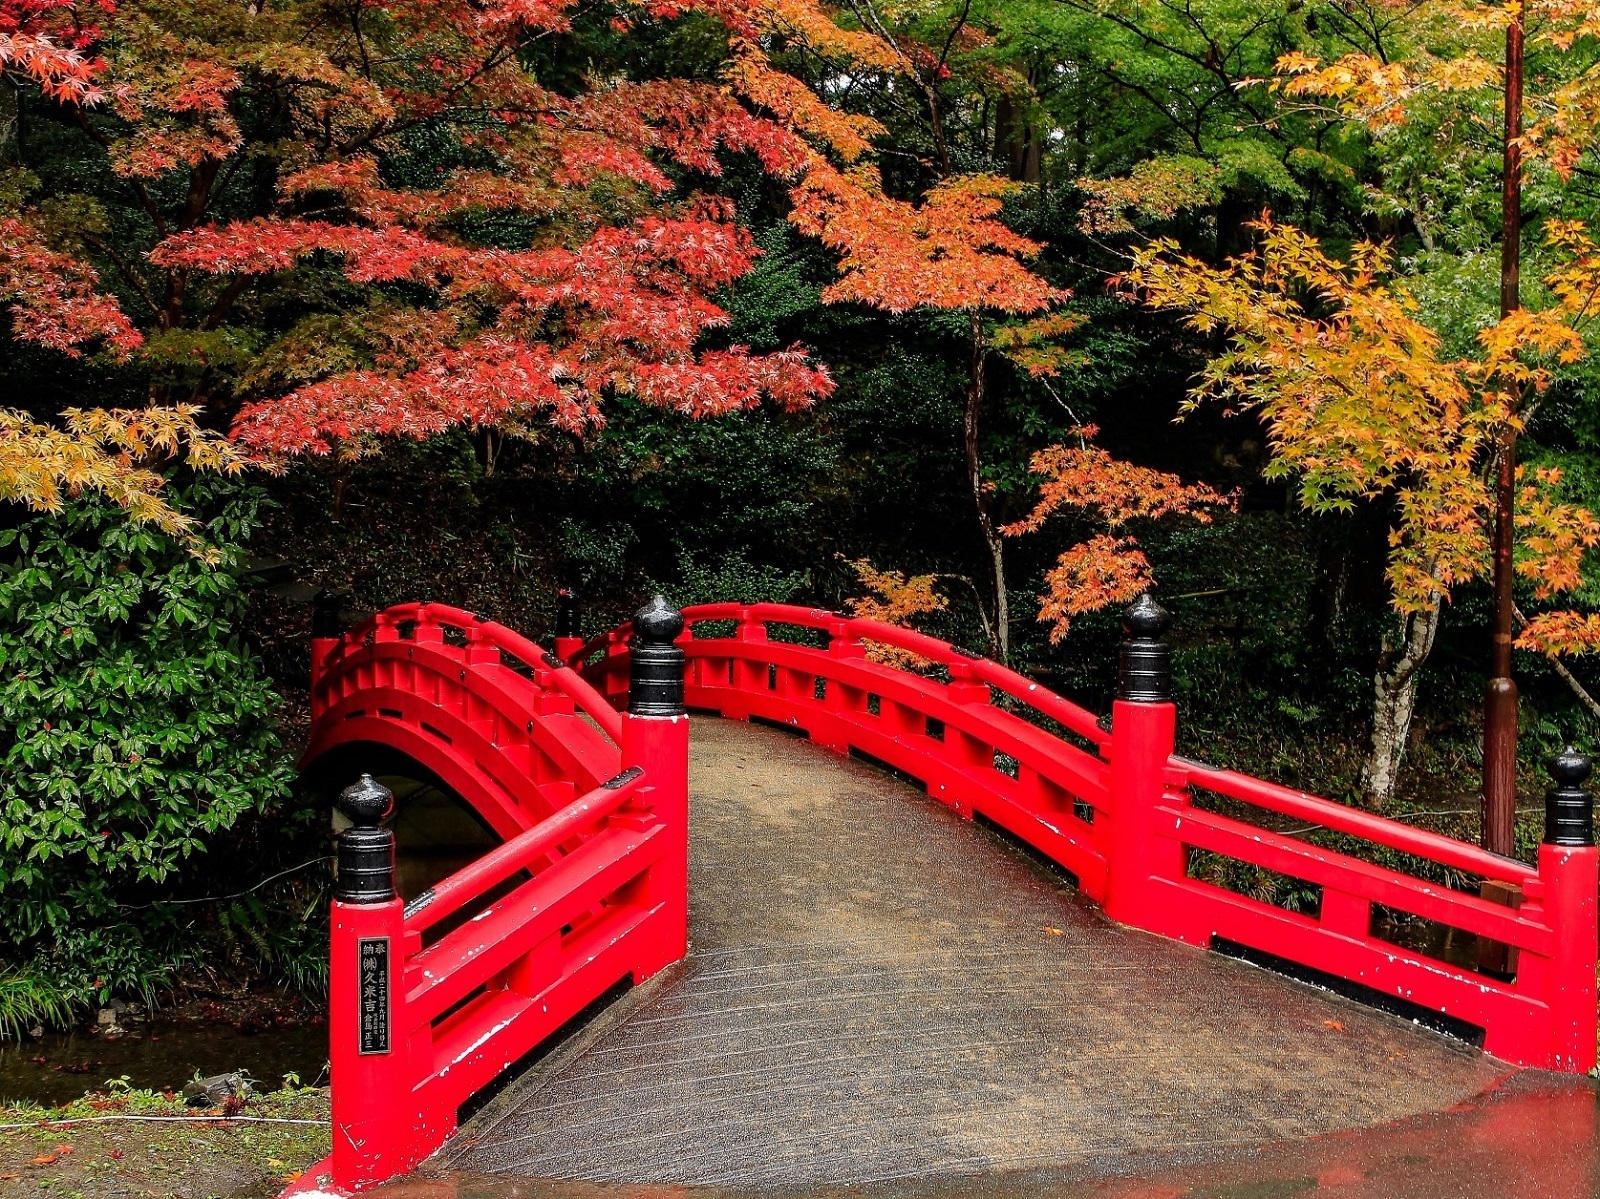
[{"x": 657, "y": 739}]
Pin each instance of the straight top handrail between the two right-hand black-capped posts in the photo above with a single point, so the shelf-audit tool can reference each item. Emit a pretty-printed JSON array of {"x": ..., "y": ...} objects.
[{"x": 1343, "y": 819}]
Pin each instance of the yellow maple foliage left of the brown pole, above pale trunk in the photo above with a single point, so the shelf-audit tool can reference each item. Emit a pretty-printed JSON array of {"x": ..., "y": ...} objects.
[{"x": 1353, "y": 388}]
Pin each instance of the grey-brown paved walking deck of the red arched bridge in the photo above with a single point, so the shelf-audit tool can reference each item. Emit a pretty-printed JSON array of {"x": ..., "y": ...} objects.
[{"x": 879, "y": 990}]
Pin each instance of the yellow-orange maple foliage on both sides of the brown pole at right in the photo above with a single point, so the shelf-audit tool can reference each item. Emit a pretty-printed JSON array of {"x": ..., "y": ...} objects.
[{"x": 1361, "y": 403}]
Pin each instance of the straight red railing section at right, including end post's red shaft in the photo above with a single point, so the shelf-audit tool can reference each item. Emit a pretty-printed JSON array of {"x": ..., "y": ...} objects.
[{"x": 1543, "y": 1016}]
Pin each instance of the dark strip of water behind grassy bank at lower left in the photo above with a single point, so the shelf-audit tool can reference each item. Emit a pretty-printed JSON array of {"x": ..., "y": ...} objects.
[{"x": 58, "y": 1069}]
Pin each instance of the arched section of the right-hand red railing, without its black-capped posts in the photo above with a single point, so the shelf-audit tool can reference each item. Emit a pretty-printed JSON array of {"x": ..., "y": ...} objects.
[{"x": 948, "y": 734}]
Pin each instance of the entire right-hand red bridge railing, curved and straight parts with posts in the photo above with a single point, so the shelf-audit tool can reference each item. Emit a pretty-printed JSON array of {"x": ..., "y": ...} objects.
[{"x": 1137, "y": 825}]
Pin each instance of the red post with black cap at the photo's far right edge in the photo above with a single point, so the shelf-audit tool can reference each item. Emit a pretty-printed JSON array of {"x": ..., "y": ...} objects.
[{"x": 1570, "y": 868}]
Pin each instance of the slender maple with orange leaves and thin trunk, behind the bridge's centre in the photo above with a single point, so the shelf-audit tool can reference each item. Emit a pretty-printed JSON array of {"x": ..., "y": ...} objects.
[{"x": 951, "y": 249}]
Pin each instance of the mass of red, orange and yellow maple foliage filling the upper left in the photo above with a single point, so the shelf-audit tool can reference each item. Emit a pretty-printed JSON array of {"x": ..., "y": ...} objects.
[{"x": 612, "y": 294}]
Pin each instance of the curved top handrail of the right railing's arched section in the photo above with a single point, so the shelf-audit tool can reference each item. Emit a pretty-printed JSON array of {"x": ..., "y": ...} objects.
[{"x": 938, "y": 652}]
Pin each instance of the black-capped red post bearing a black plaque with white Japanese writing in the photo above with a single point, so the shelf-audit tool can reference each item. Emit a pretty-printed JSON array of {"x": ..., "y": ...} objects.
[{"x": 372, "y": 1112}]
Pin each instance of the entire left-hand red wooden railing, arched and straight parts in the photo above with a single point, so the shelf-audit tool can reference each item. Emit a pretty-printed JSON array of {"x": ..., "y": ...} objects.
[{"x": 426, "y": 1009}]
